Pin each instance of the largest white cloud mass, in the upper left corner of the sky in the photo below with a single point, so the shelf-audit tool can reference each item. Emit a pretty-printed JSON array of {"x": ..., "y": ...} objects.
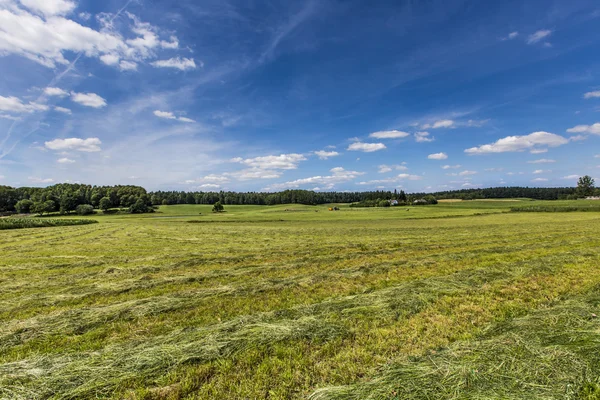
[{"x": 41, "y": 32}]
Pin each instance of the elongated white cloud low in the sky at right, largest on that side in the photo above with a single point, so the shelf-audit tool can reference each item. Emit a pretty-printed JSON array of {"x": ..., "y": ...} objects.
[{"x": 520, "y": 143}]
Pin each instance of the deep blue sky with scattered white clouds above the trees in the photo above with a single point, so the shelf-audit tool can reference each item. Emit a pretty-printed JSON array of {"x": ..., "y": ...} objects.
[{"x": 322, "y": 95}]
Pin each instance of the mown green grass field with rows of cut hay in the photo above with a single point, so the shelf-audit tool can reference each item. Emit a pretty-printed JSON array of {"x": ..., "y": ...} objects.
[{"x": 462, "y": 300}]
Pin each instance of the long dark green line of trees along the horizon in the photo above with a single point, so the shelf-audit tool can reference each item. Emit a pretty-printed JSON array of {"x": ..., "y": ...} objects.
[{"x": 67, "y": 198}]
